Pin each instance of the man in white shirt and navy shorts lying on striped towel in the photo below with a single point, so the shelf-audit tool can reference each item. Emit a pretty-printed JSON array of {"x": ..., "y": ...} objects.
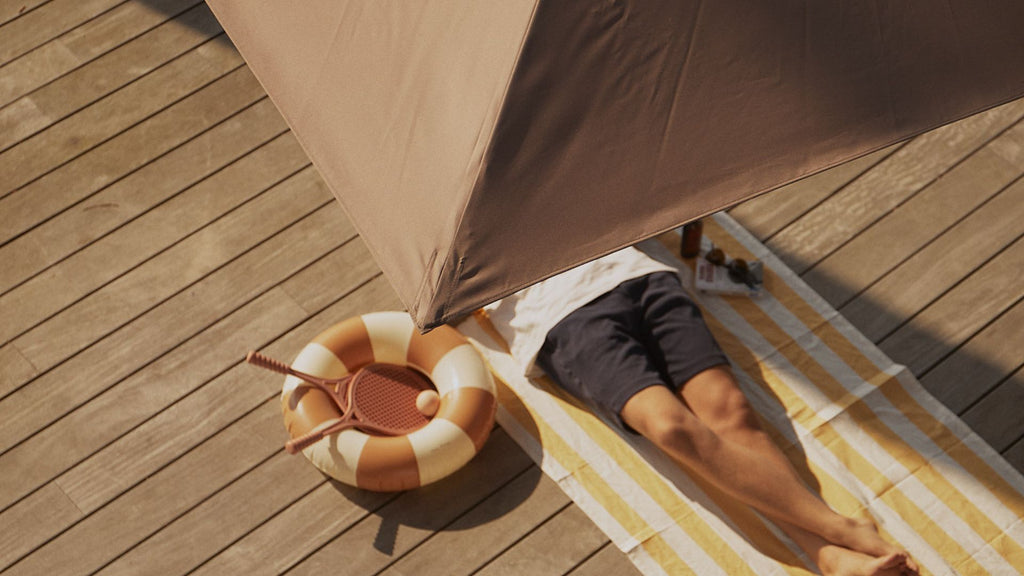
[{"x": 621, "y": 335}]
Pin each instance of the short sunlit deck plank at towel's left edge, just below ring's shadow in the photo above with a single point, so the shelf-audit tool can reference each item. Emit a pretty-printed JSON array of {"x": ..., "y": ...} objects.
[{"x": 548, "y": 551}]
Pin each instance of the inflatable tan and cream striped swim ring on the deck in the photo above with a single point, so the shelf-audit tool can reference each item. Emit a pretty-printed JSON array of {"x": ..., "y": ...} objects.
[{"x": 450, "y": 440}]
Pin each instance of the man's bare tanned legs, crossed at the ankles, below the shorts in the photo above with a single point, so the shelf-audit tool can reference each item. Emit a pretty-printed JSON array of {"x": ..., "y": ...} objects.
[{"x": 712, "y": 430}]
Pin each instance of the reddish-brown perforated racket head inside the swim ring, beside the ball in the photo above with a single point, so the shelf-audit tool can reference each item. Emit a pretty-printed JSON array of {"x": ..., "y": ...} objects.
[{"x": 382, "y": 398}]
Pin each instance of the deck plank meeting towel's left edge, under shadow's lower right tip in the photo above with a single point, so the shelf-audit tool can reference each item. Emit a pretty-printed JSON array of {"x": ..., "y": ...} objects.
[{"x": 496, "y": 524}]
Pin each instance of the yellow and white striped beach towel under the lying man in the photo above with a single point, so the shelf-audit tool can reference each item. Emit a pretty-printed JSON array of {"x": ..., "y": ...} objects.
[{"x": 860, "y": 429}]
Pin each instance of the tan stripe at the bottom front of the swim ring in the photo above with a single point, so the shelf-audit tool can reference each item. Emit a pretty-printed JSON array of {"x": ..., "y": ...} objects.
[{"x": 389, "y": 465}]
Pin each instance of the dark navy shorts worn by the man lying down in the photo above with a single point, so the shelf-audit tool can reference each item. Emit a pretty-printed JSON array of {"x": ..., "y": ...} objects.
[{"x": 645, "y": 333}]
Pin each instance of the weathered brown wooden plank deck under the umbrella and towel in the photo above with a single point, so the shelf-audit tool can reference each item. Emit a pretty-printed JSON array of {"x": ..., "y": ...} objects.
[{"x": 158, "y": 220}]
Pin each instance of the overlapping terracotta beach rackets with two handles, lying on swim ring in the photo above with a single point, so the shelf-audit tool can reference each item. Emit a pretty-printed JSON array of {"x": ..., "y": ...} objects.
[{"x": 378, "y": 399}]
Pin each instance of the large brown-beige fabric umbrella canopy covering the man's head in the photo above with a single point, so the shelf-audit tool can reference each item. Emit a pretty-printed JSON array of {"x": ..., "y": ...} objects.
[{"x": 482, "y": 146}]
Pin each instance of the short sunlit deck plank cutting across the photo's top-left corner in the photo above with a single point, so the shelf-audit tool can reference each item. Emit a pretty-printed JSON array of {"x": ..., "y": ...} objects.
[{"x": 37, "y": 27}]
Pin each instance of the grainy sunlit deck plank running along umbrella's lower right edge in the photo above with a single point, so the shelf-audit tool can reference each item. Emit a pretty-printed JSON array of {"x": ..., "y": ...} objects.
[{"x": 843, "y": 216}]
